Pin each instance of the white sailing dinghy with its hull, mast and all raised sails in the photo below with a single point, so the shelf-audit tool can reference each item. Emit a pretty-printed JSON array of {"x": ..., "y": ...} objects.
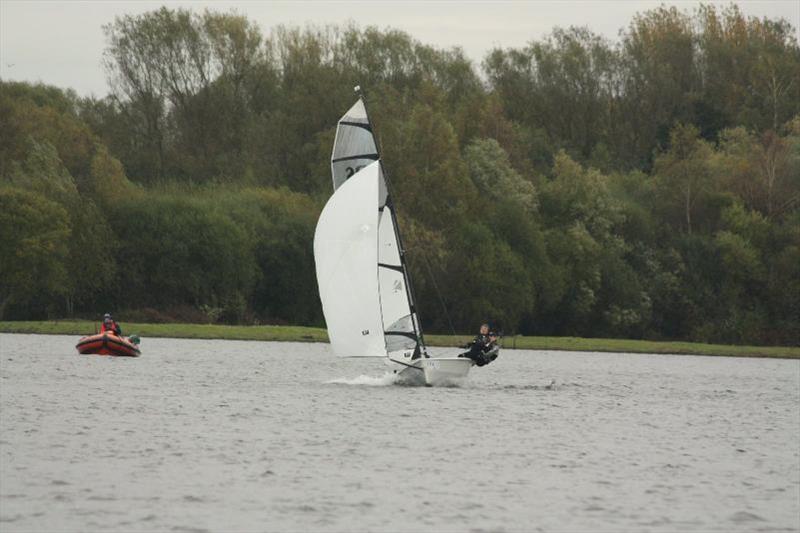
[{"x": 364, "y": 284}]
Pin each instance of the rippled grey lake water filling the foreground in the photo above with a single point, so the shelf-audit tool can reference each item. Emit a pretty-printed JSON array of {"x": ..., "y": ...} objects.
[{"x": 222, "y": 435}]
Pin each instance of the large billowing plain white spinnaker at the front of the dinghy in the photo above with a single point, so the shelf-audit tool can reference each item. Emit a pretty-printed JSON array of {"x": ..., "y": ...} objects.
[{"x": 346, "y": 255}]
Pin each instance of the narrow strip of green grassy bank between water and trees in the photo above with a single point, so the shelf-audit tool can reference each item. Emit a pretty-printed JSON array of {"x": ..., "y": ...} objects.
[{"x": 304, "y": 334}]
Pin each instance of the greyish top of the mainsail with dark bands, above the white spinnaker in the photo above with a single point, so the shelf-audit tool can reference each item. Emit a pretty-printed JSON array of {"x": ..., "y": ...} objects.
[{"x": 354, "y": 147}]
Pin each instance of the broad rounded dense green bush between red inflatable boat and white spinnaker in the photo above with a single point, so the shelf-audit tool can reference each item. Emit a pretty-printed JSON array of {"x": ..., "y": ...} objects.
[{"x": 175, "y": 250}]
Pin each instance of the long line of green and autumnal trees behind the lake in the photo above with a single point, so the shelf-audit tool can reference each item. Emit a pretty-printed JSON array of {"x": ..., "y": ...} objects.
[{"x": 645, "y": 188}]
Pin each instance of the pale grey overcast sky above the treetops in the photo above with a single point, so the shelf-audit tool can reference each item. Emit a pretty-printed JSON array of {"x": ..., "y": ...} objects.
[{"x": 61, "y": 42}]
